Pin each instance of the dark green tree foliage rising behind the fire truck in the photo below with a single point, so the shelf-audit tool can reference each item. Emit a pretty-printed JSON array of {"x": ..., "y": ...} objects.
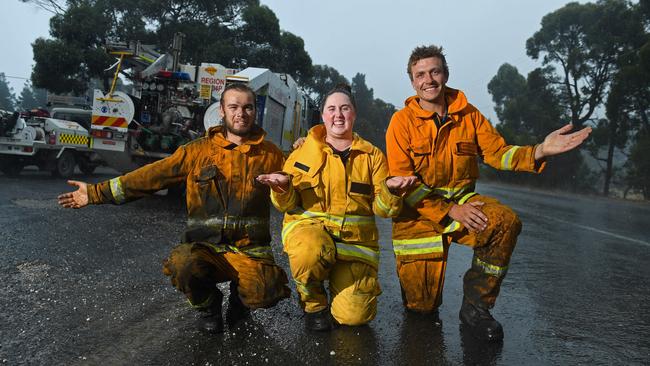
[{"x": 235, "y": 33}]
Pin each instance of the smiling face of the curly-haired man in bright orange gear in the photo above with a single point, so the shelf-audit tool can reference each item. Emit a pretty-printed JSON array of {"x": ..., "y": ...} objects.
[{"x": 429, "y": 79}]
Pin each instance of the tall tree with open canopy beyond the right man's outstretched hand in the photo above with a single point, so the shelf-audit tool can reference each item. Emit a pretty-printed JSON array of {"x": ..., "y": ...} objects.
[{"x": 583, "y": 45}]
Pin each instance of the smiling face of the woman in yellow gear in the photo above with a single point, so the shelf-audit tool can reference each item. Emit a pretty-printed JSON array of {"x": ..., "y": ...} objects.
[{"x": 338, "y": 116}]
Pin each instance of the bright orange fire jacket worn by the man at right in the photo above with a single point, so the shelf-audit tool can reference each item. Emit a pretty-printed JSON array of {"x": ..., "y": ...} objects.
[{"x": 446, "y": 160}]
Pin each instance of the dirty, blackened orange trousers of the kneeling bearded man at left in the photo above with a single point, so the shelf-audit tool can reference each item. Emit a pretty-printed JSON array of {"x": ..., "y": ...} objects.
[{"x": 195, "y": 269}]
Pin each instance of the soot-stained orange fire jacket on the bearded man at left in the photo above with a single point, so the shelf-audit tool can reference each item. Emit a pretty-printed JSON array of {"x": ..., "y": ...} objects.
[{"x": 226, "y": 208}]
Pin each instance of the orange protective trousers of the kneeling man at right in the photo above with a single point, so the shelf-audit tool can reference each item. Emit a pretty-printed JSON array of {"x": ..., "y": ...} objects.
[{"x": 422, "y": 280}]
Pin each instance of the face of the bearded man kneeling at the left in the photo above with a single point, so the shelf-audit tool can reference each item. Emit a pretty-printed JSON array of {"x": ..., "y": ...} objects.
[{"x": 238, "y": 112}]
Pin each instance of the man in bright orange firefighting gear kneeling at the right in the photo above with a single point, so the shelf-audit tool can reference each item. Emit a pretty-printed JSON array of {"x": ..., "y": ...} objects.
[{"x": 439, "y": 137}]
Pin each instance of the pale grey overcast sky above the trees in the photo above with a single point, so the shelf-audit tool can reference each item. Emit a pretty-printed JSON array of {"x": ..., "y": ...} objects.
[{"x": 371, "y": 37}]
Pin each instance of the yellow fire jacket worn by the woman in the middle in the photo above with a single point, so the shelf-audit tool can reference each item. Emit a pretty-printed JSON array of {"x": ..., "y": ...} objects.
[{"x": 344, "y": 198}]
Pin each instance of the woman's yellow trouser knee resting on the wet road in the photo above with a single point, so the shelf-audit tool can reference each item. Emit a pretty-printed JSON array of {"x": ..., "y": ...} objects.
[{"x": 355, "y": 289}]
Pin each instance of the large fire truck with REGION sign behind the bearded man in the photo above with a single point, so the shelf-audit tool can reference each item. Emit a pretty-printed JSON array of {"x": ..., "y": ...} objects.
[{"x": 169, "y": 104}]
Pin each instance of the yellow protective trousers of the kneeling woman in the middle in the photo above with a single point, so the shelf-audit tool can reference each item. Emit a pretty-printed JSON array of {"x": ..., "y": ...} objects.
[{"x": 353, "y": 285}]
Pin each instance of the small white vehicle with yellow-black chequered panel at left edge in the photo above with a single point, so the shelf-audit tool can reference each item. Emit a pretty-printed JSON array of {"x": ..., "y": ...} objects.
[{"x": 50, "y": 143}]
